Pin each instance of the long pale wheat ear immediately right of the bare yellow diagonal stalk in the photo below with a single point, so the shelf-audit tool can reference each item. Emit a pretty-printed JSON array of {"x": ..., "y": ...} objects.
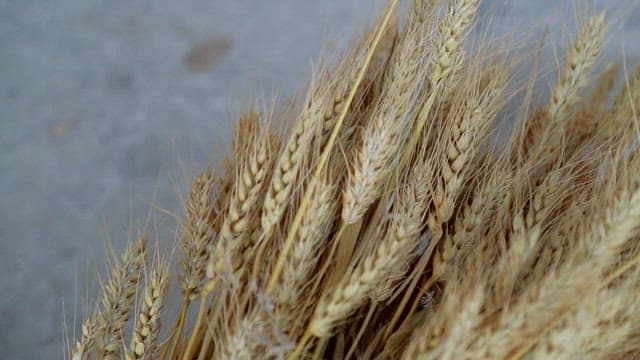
[{"x": 385, "y": 132}]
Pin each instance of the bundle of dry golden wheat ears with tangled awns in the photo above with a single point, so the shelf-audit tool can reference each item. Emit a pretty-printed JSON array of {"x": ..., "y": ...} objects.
[{"x": 387, "y": 213}]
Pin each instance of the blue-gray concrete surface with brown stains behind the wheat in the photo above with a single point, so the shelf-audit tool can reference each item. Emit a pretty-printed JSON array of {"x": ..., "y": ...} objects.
[{"x": 106, "y": 107}]
